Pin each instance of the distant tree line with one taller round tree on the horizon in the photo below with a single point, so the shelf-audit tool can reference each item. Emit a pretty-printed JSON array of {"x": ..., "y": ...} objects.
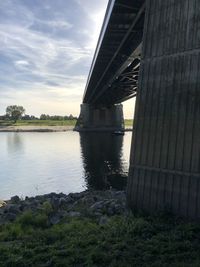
[{"x": 15, "y": 113}]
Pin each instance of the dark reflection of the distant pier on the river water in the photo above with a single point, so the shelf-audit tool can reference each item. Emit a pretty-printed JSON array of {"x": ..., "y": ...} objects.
[{"x": 102, "y": 160}]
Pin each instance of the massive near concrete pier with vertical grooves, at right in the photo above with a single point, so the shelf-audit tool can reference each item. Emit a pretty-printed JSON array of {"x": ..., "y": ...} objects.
[{"x": 165, "y": 156}]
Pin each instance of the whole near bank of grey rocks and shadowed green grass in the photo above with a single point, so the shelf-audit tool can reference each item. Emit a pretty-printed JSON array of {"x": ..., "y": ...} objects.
[{"x": 92, "y": 228}]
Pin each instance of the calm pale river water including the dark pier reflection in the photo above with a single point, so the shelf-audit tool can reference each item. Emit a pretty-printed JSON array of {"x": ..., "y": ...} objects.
[{"x": 38, "y": 163}]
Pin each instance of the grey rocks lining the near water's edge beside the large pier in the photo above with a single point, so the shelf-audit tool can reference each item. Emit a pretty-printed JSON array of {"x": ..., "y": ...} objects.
[{"x": 99, "y": 204}]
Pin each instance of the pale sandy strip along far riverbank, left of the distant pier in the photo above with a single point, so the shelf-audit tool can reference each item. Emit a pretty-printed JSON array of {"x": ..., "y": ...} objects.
[{"x": 36, "y": 128}]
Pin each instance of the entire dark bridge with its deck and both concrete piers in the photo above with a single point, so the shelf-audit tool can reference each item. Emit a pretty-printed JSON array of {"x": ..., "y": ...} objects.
[{"x": 152, "y": 48}]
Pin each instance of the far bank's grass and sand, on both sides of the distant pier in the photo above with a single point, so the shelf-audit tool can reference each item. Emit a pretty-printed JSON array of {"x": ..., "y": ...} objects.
[{"x": 44, "y": 125}]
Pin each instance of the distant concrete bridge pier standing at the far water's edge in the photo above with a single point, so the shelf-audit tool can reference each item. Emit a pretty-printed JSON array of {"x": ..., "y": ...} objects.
[{"x": 100, "y": 119}]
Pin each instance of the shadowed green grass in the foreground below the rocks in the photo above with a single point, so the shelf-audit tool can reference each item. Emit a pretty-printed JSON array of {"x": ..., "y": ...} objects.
[{"x": 122, "y": 242}]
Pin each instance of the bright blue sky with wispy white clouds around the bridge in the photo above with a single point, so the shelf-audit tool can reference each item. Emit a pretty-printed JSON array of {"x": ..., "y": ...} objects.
[{"x": 46, "y": 50}]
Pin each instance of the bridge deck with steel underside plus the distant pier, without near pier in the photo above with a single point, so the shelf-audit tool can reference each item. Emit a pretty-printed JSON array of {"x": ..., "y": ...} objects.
[{"x": 113, "y": 76}]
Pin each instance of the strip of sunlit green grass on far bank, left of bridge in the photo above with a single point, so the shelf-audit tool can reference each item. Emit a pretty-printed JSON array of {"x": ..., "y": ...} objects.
[{"x": 38, "y": 123}]
